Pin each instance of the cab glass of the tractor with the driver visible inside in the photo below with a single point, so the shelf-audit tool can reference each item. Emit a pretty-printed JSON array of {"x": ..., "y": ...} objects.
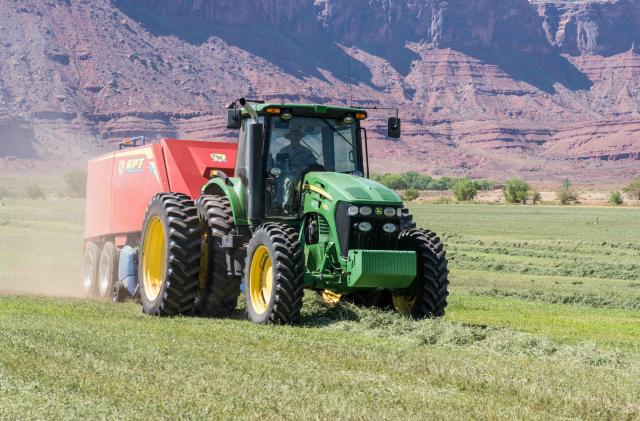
[{"x": 301, "y": 145}]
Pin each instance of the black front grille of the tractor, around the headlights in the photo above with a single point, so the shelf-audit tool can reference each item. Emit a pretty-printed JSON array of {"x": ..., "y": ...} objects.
[{"x": 351, "y": 238}]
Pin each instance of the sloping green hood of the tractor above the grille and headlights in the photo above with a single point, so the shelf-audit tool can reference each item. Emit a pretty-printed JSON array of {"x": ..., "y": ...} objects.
[{"x": 348, "y": 188}]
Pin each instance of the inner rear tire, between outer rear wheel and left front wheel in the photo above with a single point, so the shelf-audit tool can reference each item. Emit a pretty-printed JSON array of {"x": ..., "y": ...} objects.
[{"x": 218, "y": 290}]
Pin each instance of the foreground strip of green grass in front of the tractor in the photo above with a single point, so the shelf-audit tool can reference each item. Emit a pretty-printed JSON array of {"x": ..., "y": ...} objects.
[{"x": 82, "y": 359}]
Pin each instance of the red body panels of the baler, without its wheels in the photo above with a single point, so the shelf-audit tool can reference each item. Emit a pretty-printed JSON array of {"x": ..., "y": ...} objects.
[{"x": 121, "y": 184}]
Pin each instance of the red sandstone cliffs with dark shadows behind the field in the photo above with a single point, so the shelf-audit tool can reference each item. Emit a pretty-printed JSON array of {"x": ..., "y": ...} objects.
[{"x": 489, "y": 88}]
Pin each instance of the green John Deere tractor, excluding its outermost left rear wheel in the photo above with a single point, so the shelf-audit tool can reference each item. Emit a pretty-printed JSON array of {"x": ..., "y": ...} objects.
[{"x": 300, "y": 214}]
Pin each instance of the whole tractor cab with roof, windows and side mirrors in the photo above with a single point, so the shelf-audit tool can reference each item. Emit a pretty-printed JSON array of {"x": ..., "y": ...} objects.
[{"x": 279, "y": 144}]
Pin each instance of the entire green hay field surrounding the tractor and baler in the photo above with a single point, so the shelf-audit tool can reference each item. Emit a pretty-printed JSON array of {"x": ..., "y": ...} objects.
[{"x": 543, "y": 323}]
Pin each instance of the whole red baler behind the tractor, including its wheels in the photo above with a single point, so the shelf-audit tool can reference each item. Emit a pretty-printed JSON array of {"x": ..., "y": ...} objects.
[{"x": 120, "y": 186}]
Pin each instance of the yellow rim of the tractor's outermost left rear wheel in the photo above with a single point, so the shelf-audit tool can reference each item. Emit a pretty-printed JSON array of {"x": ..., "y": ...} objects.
[{"x": 153, "y": 259}]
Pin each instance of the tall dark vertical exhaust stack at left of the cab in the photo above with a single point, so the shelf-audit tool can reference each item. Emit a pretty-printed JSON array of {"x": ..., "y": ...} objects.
[{"x": 255, "y": 172}]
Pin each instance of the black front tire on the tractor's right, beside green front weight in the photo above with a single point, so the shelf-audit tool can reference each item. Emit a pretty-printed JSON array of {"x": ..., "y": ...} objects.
[{"x": 428, "y": 296}]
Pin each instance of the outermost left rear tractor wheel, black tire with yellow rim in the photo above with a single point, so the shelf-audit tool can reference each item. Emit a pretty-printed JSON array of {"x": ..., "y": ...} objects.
[{"x": 172, "y": 222}]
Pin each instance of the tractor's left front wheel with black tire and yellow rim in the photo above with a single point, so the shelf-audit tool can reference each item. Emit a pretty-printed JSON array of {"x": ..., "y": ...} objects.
[{"x": 279, "y": 244}]
